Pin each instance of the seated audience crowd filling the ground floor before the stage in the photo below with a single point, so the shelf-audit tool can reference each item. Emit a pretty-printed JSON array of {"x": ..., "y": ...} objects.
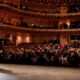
[{"x": 42, "y": 54}]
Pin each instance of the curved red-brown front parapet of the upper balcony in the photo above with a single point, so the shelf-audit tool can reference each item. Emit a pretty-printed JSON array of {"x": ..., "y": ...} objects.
[{"x": 38, "y": 14}]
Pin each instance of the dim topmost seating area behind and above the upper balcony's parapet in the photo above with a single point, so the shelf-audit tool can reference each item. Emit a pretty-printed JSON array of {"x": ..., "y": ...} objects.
[{"x": 45, "y": 6}]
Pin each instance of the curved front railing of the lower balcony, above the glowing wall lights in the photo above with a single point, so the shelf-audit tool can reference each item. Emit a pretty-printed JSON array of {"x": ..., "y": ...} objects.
[{"x": 28, "y": 29}]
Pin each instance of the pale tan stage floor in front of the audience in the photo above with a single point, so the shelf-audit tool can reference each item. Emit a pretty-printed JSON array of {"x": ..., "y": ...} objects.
[{"x": 29, "y": 72}]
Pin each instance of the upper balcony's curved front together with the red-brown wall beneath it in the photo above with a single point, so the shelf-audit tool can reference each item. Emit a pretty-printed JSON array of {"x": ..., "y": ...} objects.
[{"x": 12, "y": 15}]
